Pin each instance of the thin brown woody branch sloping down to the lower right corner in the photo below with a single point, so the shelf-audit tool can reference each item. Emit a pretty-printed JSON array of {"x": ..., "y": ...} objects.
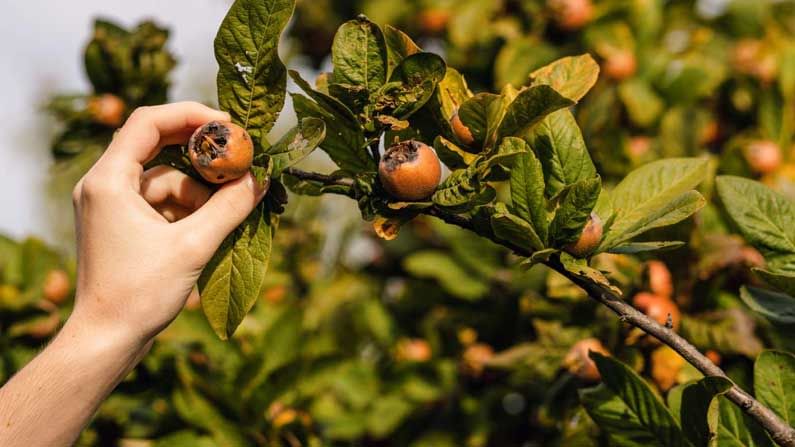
[{"x": 778, "y": 429}]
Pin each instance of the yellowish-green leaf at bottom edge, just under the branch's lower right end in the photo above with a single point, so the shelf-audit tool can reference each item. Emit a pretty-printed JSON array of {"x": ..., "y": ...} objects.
[{"x": 737, "y": 429}]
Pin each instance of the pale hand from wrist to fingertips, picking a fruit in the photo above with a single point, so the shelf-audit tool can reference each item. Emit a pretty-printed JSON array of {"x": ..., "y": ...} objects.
[{"x": 144, "y": 236}]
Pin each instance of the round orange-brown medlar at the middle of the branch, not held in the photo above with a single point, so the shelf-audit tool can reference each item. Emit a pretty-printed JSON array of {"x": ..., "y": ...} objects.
[{"x": 410, "y": 171}]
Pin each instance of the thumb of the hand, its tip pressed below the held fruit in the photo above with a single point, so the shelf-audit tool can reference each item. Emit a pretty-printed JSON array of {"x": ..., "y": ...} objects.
[{"x": 224, "y": 211}]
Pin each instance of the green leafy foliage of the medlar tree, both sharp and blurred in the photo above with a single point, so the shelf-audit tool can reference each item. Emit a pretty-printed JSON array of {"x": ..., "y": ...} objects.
[{"x": 454, "y": 337}]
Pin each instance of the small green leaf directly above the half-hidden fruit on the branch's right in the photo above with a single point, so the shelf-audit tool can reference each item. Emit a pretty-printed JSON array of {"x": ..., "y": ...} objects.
[{"x": 574, "y": 210}]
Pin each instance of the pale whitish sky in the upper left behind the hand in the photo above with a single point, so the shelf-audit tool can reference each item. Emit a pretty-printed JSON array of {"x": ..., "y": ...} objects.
[{"x": 46, "y": 58}]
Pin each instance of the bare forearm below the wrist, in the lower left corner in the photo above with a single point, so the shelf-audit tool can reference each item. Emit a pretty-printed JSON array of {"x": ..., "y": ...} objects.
[{"x": 50, "y": 400}]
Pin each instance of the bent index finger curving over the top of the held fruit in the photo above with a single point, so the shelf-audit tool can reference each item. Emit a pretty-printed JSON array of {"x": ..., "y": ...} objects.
[{"x": 150, "y": 128}]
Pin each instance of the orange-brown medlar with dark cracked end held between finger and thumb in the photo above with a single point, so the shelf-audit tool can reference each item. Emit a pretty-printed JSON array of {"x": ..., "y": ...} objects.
[{"x": 221, "y": 151}]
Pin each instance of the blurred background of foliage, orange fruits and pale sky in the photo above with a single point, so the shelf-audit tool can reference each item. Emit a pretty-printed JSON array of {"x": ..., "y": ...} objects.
[{"x": 438, "y": 338}]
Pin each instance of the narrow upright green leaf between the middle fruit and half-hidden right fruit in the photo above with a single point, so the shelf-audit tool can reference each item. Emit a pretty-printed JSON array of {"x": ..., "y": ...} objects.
[{"x": 527, "y": 192}]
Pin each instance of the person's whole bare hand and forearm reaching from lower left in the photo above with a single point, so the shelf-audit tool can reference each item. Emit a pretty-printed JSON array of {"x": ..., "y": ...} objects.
[{"x": 143, "y": 238}]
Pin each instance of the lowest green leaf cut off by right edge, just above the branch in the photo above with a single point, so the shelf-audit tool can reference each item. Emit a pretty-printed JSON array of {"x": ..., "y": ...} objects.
[{"x": 774, "y": 383}]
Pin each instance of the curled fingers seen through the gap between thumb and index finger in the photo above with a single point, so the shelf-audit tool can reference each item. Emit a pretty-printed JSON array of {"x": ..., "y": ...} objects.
[{"x": 164, "y": 187}]
